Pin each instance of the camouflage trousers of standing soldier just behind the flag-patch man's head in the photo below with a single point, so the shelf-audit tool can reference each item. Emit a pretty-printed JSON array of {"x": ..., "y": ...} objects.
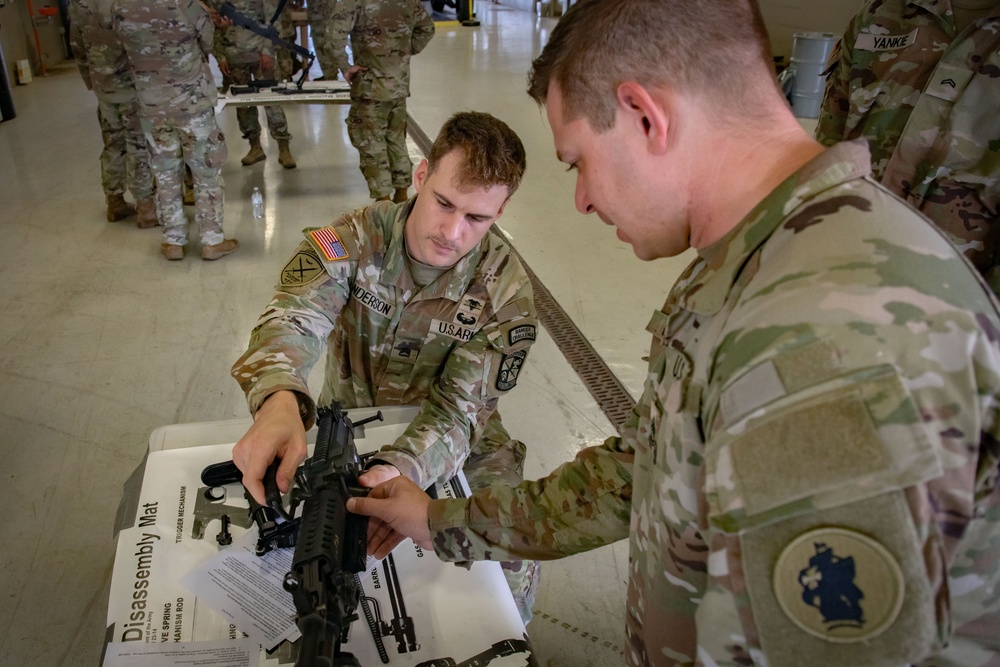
[{"x": 378, "y": 130}]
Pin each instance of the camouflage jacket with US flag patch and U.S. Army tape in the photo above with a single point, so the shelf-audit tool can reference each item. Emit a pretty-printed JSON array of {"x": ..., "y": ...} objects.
[{"x": 453, "y": 347}]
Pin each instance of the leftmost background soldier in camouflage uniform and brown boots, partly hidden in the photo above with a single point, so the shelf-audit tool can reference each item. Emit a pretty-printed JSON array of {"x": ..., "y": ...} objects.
[{"x": 104, "y": 68}]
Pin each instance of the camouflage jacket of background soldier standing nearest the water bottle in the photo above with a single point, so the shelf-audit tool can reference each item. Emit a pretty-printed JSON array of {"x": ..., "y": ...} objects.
[{"x": 168, "y": 45}]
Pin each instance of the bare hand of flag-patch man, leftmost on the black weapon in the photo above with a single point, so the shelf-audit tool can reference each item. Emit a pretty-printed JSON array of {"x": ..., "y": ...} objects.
[{"x": 277, "y": 432}]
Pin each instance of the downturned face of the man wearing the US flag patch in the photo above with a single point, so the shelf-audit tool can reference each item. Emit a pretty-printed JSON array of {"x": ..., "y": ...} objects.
[{"x": 449, "y": 219}]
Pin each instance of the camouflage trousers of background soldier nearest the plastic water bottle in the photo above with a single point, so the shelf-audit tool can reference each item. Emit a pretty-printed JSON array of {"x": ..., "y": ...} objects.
[{"x": 195, "y": 140}]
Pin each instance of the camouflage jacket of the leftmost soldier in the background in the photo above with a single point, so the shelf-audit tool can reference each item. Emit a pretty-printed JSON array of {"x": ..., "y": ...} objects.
[{"x": 98, "y": 52}]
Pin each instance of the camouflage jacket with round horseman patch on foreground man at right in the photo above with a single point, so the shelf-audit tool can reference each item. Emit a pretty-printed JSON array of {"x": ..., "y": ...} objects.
[{"x": 812, "y": 469}]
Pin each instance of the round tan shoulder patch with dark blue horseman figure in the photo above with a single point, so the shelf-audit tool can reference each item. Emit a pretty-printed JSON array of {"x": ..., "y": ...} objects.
[{"x": 839, "y": 585}]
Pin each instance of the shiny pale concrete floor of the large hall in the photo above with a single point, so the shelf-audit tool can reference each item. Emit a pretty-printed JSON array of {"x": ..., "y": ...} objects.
[{"x": 102, "y": 340}]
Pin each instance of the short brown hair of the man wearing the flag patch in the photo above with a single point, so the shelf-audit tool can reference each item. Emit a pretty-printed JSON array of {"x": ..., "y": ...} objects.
[{"x": 493, "y": 153}]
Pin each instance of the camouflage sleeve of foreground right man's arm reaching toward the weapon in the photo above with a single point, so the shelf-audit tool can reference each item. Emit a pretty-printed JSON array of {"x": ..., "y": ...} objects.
[{"x": 584, "y": 504}]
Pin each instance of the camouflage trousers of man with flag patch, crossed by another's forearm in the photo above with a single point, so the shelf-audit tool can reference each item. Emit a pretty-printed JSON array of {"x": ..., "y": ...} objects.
[{"x": 498, "y": 459}]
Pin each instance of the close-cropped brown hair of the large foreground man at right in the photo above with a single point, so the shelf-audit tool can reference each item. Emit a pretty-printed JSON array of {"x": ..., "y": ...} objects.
[{"x": 718, "y": 49}]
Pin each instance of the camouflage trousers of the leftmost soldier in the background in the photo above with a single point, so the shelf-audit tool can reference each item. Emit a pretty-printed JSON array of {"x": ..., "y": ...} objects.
[{"x": 125, "y": 159}]
